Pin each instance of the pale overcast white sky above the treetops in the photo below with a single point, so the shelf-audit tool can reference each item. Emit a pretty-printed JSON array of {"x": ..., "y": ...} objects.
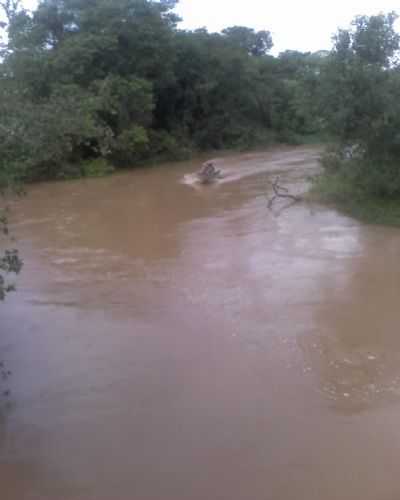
[{"x": 305, "y": 25}]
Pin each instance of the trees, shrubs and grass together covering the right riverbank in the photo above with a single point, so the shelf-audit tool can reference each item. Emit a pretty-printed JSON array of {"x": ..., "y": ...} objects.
[{"x": 360, "y": 89}]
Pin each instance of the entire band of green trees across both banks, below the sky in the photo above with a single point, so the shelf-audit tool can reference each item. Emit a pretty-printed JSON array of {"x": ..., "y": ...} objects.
[{"x": 90, "y": 85}]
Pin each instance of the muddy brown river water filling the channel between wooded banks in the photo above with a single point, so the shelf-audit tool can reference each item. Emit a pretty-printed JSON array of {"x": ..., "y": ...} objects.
[{"x": 170, "y": 341}]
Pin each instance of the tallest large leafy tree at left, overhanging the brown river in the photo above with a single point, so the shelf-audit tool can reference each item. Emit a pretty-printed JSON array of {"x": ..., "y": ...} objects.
[{"x": 80, "y": 78}]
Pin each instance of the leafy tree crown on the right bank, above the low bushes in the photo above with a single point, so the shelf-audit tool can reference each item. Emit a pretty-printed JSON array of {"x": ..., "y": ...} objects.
[{"x": 356, "y": 82}]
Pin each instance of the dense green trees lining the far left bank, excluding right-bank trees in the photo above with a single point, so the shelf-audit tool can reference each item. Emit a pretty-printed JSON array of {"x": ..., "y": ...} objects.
[{"x": 83, "y": 80}]
